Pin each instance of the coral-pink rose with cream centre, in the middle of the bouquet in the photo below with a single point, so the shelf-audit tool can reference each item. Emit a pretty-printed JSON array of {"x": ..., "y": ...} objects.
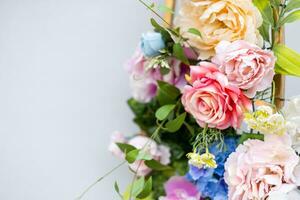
[{"x": 211, "y": 100}]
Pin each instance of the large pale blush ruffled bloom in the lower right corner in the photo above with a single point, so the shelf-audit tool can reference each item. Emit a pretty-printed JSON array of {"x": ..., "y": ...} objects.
[{"x": 260, "y": 168}]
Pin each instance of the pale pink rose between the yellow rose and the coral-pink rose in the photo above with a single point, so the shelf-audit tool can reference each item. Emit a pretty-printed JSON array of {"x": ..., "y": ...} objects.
[{"x": 246, "y": 65}]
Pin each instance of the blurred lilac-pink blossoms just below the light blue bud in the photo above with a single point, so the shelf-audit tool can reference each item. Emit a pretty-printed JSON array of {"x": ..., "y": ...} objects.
[{"x": 143, "y": 81}]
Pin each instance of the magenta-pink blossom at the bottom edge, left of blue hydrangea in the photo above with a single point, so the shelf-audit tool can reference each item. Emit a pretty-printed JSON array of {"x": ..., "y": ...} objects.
[{"x": 178, "y": 188}]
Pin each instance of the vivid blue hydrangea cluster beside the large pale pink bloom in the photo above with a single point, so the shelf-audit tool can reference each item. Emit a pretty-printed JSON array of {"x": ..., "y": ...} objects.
[{"x": 210, "y": 182}]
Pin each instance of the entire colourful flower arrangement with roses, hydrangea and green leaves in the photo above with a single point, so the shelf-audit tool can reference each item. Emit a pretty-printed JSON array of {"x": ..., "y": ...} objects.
[{"x": 204, "y": 97}]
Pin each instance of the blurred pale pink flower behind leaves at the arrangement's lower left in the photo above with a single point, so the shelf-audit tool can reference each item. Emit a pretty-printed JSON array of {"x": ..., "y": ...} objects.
[{"x": 160, "y": 153}]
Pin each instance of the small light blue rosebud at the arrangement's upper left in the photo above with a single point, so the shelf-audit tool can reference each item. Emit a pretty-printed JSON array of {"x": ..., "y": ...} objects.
[{"x": 152, "y": 43}]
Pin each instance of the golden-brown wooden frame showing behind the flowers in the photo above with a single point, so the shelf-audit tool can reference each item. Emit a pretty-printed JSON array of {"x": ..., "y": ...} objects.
[{"x": 279, "y": 80}]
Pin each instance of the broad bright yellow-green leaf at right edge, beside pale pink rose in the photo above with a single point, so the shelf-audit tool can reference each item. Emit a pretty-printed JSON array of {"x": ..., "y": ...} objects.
[{"x": 288, "y": 61}]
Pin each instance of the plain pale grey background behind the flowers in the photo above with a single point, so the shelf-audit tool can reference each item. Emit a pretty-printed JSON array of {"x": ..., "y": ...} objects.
[{"x": 63, "y": 91}]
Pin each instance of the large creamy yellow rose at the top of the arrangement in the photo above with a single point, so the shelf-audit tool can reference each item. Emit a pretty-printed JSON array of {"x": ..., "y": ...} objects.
[{"x": 219, "y": 20}]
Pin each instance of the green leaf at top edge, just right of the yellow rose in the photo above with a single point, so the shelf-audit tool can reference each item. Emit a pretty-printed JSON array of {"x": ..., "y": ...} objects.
[{"x": 266, "y": 10}]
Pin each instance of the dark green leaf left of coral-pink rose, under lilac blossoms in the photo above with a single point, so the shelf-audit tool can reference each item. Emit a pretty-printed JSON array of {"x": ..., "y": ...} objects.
[{"x": 167, "y": 94}]
